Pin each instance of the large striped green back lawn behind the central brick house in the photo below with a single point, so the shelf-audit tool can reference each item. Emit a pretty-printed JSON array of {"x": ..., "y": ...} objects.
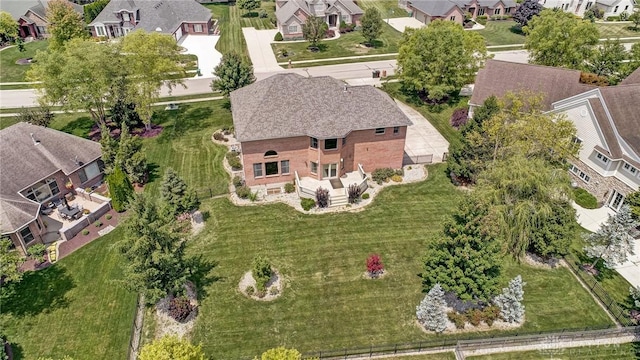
[{"x": 326, "y": 303}]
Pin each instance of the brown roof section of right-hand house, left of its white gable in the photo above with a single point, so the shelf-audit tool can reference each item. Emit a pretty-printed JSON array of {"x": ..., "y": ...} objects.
[{"x": 499, "y": 77}]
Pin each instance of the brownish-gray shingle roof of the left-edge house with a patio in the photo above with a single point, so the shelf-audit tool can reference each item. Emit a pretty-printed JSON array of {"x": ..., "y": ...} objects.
[{"x": 23, "y": 163}]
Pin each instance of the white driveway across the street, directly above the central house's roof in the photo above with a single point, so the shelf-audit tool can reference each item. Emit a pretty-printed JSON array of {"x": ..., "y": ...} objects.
[{"x": 260, "y": 52}]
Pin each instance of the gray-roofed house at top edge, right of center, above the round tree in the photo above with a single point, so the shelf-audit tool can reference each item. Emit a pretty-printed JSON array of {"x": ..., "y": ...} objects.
[{"x": 427, "y": 11}]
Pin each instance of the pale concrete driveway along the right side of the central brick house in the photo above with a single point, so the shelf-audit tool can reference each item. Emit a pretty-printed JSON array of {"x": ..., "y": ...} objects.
[{"x": 422, "y": 138}]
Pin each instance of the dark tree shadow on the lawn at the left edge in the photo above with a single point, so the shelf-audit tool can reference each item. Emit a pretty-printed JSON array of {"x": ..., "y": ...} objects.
[{"x": 39, "y": 292}]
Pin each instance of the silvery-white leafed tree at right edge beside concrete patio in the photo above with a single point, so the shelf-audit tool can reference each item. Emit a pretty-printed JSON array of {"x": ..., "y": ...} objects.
[{"x": 613, "y": 242}]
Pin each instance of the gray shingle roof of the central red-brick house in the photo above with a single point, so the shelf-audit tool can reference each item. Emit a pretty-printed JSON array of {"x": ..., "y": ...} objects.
[{"x": 289, "y": 105}]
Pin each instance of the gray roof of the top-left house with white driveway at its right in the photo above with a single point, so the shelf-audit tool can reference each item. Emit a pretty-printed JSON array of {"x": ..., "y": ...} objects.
[{"x": 164, "y": 14}]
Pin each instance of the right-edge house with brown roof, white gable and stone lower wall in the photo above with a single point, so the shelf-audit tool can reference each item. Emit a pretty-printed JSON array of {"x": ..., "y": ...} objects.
[{"x": 606, "y": 119}]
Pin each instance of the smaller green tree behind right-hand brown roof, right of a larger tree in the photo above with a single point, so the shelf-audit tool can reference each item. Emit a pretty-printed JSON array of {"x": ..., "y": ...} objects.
[{"x": 608, "y": 61}]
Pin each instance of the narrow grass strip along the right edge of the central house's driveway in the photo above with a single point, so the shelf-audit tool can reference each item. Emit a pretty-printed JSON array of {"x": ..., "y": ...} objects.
[{"x": 438, "y": 116}]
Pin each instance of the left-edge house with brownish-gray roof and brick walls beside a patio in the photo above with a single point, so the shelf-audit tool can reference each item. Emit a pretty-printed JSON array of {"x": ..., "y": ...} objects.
[{"x": 35, "y": 166}]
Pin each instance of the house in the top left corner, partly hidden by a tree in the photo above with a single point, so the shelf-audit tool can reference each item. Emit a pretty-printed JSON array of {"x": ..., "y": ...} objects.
[{"x": 31, "y": 16}]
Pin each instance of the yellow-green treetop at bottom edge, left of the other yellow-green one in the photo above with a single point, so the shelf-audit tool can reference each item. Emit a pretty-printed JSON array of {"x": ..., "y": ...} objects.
[{"x": 171, "y": 348}]
